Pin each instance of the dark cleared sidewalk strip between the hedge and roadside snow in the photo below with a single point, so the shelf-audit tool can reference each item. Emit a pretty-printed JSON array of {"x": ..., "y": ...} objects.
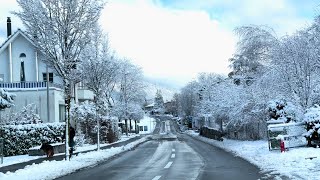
[{"x": 59, "y": 157}]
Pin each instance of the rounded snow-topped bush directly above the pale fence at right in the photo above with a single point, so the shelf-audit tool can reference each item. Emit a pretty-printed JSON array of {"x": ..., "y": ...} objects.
[{"x": 282, "y": 111}]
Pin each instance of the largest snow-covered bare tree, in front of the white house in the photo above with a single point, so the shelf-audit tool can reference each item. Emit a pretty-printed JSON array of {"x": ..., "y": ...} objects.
[{"x": 61, "y": 30}]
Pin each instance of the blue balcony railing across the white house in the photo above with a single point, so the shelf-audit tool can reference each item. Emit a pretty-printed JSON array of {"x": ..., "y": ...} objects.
[{"x": 28, "y": 85}]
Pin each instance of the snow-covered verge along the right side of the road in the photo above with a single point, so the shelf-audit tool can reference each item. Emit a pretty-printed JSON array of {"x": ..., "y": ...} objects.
[{"x": 292, "y": 163}]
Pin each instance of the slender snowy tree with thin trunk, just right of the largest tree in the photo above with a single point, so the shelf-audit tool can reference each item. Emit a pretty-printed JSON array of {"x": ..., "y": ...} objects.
[{"x": 99, "y": 73}]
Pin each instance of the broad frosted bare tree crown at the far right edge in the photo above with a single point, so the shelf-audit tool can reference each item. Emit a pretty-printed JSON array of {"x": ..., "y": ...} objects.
[{"x": 296, "y": 63}]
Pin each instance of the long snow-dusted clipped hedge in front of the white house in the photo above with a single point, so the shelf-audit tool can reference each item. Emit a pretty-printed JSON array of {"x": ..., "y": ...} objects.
[{"x": 19, "y": 138}]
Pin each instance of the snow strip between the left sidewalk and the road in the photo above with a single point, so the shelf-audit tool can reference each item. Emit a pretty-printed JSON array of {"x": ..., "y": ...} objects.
[{"x": 54, "y": 169}]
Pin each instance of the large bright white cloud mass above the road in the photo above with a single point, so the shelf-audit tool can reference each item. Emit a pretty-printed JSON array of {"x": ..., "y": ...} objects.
[{"x": 168, "y": 44}]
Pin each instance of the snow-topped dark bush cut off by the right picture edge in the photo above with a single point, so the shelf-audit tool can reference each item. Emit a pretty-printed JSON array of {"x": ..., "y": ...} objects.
[{"x": 312, "y": 121}]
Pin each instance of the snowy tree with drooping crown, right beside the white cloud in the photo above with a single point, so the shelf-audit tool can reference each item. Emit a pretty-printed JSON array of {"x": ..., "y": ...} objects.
[{"x": 253, "y": 52}]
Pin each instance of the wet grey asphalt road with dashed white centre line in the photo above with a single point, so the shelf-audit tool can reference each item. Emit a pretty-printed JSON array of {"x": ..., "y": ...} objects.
[{"x": 171, "y": 155}]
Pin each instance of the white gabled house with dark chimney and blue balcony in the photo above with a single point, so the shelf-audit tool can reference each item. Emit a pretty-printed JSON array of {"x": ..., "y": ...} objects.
[{"x": 24, "y": 73}]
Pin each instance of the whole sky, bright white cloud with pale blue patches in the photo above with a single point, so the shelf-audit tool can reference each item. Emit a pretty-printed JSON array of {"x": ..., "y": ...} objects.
[{"x": 174, "y": 40}]
